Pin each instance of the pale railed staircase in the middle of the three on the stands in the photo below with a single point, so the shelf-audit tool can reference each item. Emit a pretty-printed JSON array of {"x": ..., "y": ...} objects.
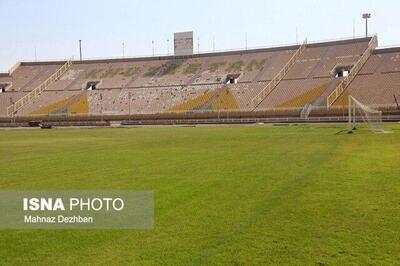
[{"x": 256, "y": 101}]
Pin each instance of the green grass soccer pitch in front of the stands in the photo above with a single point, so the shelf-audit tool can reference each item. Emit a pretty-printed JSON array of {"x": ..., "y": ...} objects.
[{"x": 239, "y": 195}]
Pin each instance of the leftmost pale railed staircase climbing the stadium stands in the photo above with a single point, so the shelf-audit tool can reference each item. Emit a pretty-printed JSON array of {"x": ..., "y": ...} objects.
[{"x": 35, "y": 93}]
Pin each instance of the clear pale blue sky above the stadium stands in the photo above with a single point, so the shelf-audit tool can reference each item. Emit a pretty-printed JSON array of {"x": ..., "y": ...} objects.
[{"x": 54, "y": 26}]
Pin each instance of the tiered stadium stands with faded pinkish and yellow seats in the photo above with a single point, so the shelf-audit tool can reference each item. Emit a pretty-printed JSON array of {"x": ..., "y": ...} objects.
[{"x": 298, "y": 81}]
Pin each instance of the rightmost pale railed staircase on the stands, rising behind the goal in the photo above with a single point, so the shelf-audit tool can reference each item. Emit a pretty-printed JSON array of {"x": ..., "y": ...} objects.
[{"x": 339, "y": 90}]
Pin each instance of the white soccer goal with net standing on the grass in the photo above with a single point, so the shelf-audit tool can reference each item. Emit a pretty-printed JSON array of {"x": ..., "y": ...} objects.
[{"x": 361, "y": 114}]
